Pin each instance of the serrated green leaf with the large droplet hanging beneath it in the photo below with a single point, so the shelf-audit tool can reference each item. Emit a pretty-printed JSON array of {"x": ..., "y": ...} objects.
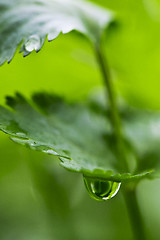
[{"x": 76, "y": 133}]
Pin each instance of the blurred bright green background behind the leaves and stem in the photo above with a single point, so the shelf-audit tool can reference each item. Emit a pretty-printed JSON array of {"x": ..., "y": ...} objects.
[{"x": 38, "y": 199}]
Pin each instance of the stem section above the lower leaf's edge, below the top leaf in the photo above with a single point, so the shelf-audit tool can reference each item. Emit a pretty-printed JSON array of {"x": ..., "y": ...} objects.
[{"x": 115, "y": 120}]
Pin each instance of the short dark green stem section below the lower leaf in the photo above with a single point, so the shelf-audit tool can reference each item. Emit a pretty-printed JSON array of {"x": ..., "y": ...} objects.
[{"x": 134, "y": 214}]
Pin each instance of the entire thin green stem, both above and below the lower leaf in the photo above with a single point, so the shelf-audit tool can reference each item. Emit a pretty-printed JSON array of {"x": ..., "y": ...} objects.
[{"x": 129, "y": 193}]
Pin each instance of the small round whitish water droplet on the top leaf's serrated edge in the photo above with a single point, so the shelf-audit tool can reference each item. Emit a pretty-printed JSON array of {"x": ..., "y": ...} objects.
[{"x": 33, "y": 43}]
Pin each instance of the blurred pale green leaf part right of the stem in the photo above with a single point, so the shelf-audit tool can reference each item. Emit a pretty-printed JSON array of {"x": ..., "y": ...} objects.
[{"x": 142, "y": 128}]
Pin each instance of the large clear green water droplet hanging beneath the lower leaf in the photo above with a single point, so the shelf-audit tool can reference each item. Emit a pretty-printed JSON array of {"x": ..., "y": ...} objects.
[{"x": 101, "y": 190}]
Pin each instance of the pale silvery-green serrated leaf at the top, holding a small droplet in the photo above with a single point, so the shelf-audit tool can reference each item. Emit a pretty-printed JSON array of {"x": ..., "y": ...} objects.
[{"x": 29, "y": 21}]
